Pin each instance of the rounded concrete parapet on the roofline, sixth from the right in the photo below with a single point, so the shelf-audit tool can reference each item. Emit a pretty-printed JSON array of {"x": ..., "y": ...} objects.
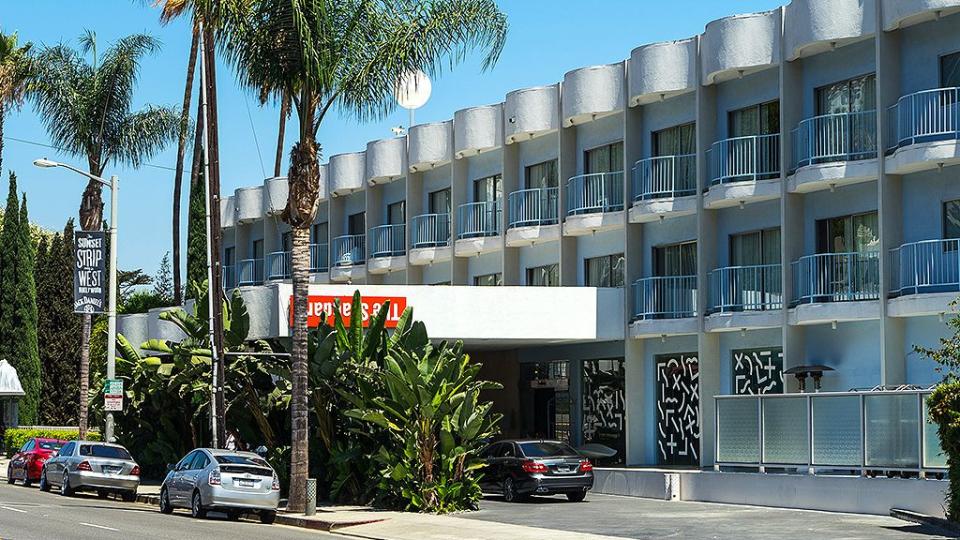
[{"x": 530, "y": 112}]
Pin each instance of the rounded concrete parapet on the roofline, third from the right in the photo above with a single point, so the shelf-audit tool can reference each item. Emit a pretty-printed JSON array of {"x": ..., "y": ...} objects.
[{"x": 740, "y": 44}]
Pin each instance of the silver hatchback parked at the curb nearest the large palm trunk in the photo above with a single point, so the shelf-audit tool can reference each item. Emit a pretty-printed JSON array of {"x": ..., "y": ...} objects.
[{"x": 224, "y": 481}]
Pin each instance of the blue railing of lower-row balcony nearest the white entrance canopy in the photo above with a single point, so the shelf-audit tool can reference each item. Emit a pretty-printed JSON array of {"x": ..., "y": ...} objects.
[{"x": 671, "y": 297}]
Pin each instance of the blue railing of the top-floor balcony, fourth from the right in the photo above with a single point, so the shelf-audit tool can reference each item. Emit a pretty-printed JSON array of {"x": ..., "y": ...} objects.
[{"x": 664, "y": 177}]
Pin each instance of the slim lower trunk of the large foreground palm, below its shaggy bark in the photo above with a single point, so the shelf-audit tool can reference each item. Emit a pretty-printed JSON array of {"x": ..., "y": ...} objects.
[{"x": 299, "y": 406}]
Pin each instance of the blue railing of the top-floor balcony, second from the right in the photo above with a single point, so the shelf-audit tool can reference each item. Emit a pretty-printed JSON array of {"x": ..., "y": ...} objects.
[{"x": 835, "y": 137}]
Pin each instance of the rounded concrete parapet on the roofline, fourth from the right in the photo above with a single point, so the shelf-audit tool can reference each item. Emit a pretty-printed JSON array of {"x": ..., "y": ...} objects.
[{"x": 662, "y": 69}]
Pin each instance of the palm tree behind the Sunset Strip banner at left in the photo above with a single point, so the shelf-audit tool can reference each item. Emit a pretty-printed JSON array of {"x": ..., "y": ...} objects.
[{"x": 84, "y": 104}]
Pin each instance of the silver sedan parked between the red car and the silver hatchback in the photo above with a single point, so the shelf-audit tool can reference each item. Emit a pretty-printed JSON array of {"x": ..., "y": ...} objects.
[{"x": 92, "y": 466}]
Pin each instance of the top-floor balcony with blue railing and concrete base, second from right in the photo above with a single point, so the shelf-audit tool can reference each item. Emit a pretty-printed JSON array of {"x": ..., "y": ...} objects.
[{"x": 833, "y": 150}]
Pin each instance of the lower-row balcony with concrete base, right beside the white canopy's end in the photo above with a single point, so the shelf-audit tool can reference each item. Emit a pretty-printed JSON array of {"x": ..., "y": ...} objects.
[{"x": 664, "y": 306}]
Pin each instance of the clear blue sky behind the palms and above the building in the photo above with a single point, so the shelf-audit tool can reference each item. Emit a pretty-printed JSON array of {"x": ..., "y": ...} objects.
[{"x": 547, "y": 38}]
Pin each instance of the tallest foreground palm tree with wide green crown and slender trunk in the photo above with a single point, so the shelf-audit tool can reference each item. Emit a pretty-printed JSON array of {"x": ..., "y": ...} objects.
[{"x": 348, "y": 55}]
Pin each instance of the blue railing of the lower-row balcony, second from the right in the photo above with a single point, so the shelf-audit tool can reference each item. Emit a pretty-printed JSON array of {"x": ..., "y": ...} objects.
[{"x": 836, "y": 277}]
